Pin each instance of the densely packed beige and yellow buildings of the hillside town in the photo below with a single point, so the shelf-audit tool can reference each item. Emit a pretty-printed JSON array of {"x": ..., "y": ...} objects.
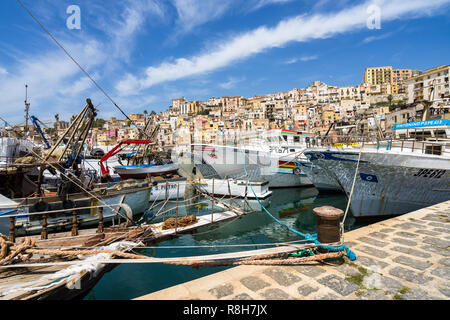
[{"x": 385, "y": 97}]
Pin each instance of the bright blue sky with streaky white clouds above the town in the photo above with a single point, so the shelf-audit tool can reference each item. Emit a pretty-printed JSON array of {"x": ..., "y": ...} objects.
[{"x": 144, "y": 53}]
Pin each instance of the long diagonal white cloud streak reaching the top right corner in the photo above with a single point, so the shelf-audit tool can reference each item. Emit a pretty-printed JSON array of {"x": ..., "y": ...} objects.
[{"x": 297, "y": 29}]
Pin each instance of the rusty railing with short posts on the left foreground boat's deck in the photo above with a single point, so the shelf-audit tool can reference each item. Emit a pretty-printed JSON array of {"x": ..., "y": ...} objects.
[{"x": 13, "y": 214}]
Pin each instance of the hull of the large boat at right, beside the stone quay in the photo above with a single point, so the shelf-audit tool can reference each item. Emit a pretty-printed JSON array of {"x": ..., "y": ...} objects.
[{"x": 387, "y": 183}]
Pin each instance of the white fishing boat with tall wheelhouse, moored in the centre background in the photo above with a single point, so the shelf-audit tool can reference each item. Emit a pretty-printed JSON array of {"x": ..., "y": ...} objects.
[{"x": 272, "y": 156}]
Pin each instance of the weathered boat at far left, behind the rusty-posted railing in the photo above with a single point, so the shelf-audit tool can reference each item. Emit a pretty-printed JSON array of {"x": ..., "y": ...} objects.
[{"x": 135, "y": 194}]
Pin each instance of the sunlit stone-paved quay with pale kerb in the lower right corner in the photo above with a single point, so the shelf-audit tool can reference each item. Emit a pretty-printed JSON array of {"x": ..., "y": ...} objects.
[{"x": 402, "y": 258}]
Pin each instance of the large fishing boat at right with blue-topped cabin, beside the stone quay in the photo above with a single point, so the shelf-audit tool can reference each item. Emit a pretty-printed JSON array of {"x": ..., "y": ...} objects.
[{"x": 394, "y": 176}]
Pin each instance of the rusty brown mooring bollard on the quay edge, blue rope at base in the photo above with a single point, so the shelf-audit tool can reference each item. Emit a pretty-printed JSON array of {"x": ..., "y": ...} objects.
[{"x": 328, "y": 224}]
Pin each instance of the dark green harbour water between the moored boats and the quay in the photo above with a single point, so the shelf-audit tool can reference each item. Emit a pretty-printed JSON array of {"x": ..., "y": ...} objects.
[{"x": 292, "y": 206}]
